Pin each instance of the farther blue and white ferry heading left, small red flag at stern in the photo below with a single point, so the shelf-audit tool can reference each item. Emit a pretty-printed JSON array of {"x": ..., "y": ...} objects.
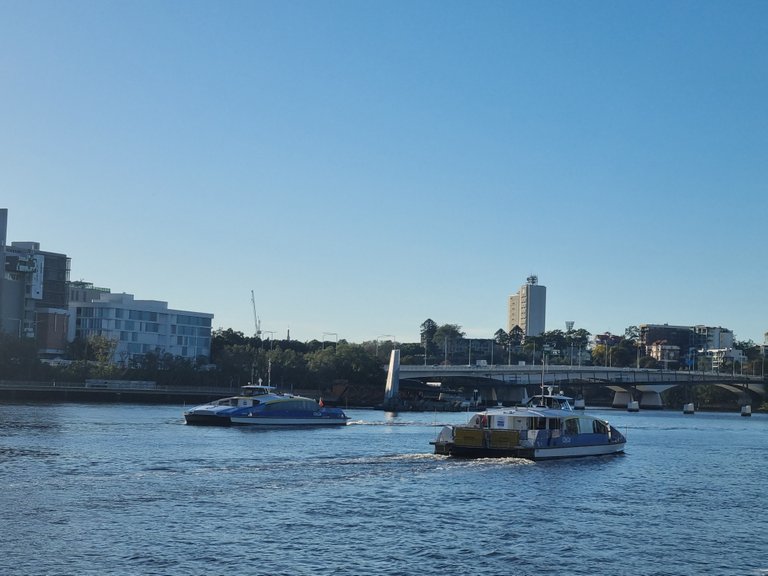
[{"x": 259, "y": 405}]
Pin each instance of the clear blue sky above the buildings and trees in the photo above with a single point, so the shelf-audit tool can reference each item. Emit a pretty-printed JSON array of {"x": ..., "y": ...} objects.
[{"x": 363, "y": 166}]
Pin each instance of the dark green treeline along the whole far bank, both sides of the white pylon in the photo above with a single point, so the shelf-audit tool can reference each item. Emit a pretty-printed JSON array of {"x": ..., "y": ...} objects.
[{"x": 333, "y": 368}]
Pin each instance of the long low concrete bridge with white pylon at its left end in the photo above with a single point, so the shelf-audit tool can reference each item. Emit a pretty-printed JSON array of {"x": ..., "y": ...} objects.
[{"x": 509, "y": 383}]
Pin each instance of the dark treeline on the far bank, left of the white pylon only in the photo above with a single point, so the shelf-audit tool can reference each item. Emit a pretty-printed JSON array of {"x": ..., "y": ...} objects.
[{"x": 329, "y": 369}]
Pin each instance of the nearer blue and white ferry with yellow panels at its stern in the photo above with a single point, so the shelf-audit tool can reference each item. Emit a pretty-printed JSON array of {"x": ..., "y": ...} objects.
[{"x": 546, "y": 428}]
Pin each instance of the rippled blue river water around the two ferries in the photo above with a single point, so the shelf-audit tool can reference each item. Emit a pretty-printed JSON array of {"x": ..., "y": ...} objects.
[{"x": 130, "y": 489}]
